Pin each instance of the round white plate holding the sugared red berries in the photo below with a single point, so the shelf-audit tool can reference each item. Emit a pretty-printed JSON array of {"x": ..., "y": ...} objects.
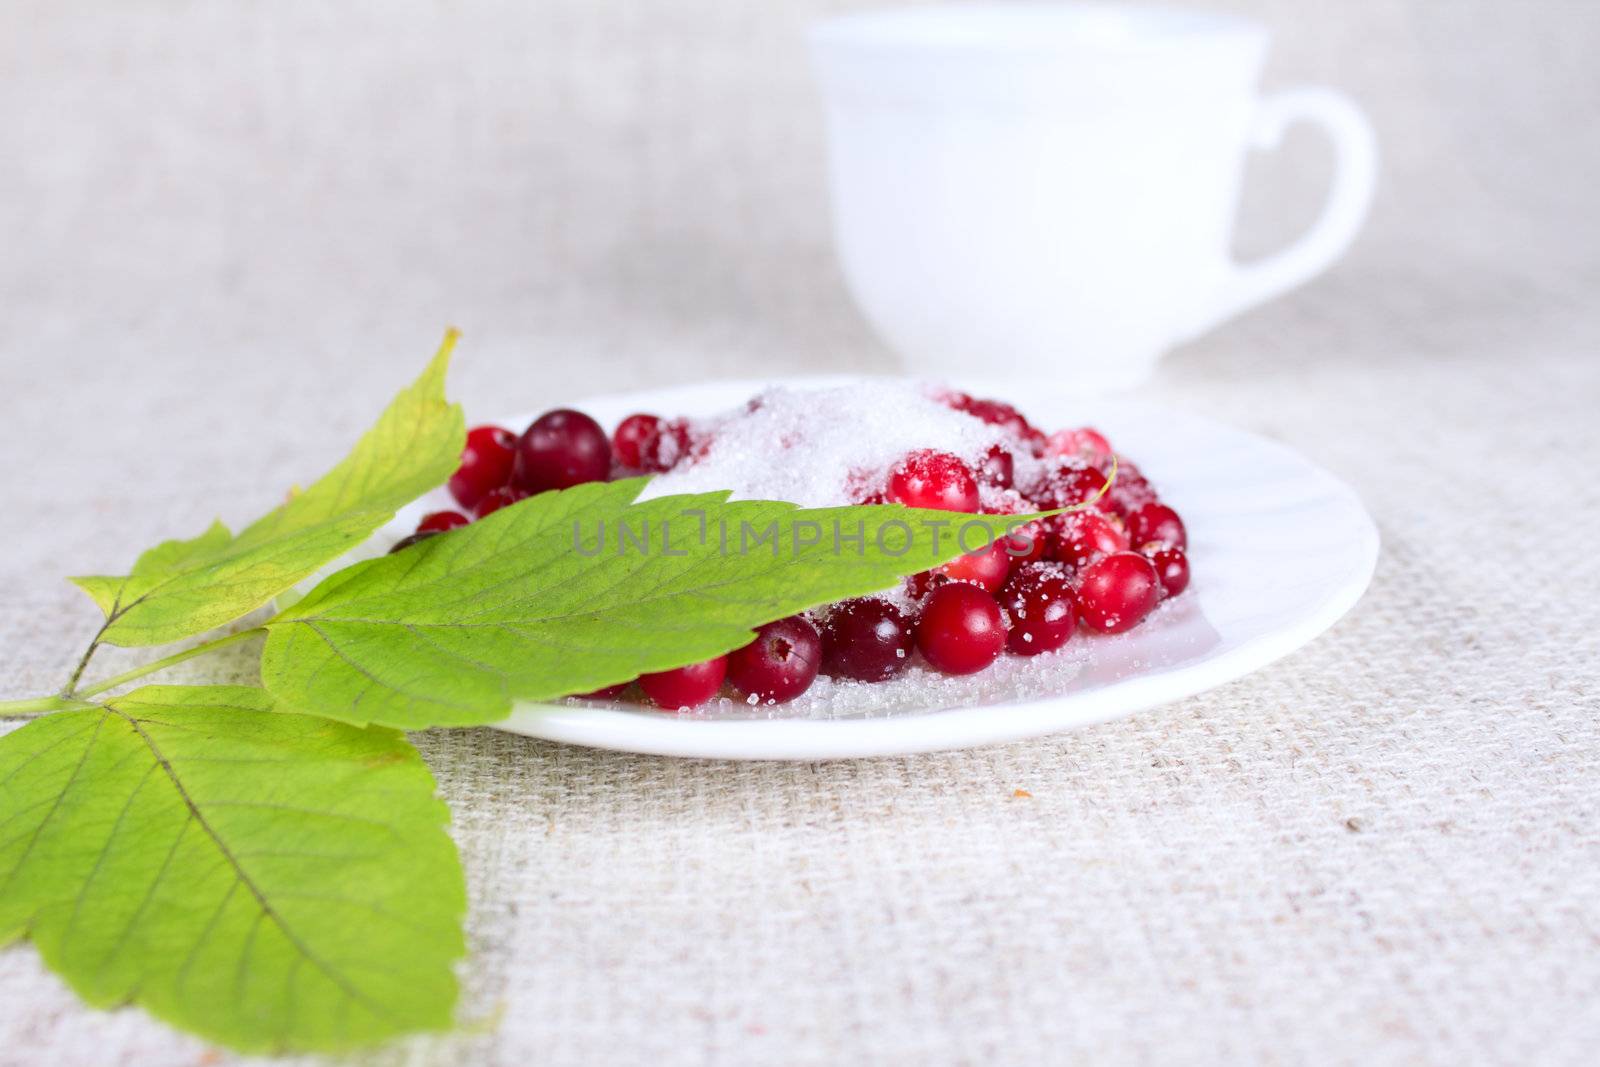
[{"x": 1279, "y": 548}]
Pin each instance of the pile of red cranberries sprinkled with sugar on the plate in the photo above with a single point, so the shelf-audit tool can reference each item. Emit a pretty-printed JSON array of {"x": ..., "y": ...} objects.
[{"x": 1102, "y": 569}]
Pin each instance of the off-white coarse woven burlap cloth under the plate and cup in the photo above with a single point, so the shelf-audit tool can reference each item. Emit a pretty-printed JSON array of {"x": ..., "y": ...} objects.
[{"x": 231, "y": 233}]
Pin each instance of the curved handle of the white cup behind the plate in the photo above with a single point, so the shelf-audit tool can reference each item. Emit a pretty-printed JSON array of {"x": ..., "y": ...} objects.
[{"x": 1356, "y": 172}]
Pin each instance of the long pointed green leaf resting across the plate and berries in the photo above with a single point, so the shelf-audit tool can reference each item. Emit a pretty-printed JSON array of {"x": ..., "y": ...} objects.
[{"x": 449, "y": 633}]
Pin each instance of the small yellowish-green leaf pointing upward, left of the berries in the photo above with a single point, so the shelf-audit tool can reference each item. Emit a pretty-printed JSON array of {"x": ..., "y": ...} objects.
[{"x": 186, "y": 588}]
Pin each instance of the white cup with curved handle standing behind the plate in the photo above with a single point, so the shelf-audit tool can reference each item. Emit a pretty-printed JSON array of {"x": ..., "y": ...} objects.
[{"x": 1046, "y": 188}]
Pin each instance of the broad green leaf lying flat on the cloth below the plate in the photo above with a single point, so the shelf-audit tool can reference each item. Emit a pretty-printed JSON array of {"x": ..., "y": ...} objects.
[{"x": 266, "y": 881}]
